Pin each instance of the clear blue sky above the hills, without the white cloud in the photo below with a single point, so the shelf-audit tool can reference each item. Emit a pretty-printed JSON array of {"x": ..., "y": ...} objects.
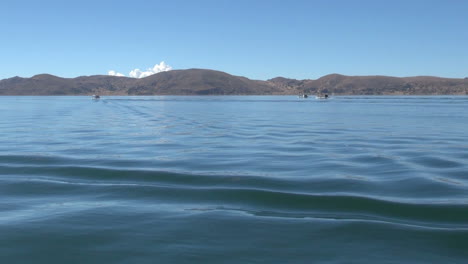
[{"x": 256, "y": 39}]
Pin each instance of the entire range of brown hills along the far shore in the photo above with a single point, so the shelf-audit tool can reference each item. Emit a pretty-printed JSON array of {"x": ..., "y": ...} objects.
[{"x": 210, "y": 82}]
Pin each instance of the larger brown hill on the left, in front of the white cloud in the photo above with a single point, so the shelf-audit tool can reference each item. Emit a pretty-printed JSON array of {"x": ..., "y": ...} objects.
[{"x": 177, "y": 82}]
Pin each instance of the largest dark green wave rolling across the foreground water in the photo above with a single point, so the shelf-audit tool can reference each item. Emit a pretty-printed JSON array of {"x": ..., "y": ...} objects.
[{"x": 280, "y": 197}]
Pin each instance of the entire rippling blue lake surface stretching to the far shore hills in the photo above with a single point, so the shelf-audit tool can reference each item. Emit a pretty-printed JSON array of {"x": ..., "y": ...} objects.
[{"x": 234, "y": 180}]
